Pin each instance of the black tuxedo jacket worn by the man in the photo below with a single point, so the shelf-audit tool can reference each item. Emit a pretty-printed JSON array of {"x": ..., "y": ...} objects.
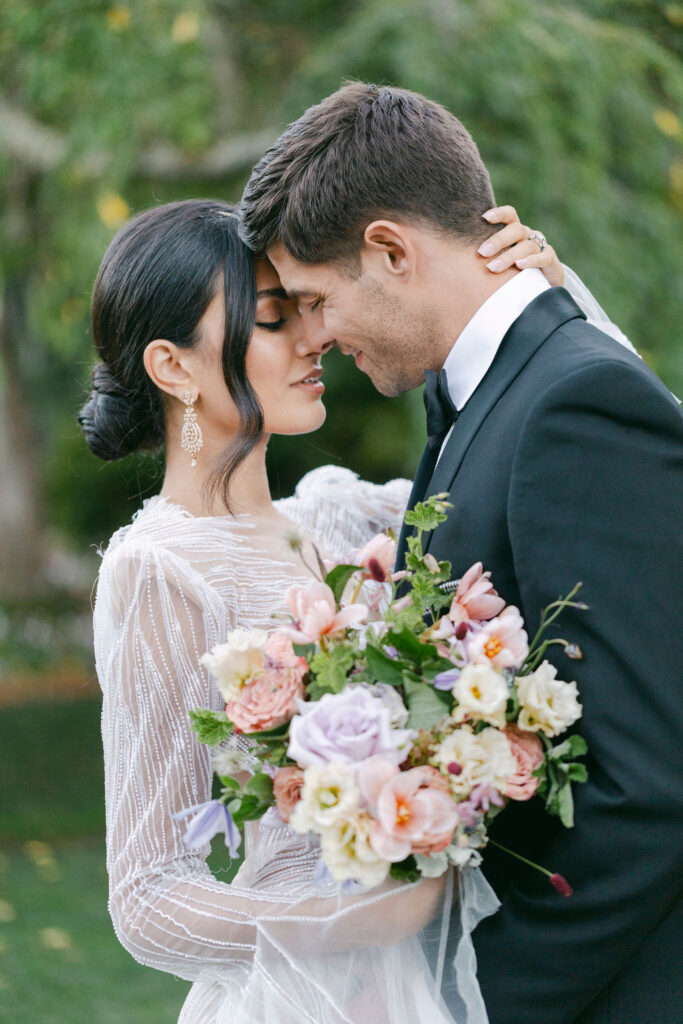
[{"x": 567, "y": 465}]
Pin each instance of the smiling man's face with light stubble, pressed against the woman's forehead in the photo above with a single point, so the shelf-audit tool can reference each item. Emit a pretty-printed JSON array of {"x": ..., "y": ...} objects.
[{"x": 361, "y": 317}]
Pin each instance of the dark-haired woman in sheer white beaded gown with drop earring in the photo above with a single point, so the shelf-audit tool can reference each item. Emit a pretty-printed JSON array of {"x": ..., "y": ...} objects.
[{"x": 203, "y": 354}]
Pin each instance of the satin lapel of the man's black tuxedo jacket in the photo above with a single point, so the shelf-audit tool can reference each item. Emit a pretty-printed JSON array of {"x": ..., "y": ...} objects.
[{"x": 539, "y": 321}]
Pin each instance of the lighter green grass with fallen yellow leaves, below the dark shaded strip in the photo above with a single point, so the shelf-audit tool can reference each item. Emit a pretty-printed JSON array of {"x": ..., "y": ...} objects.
[{"x": 61, "y": 963}]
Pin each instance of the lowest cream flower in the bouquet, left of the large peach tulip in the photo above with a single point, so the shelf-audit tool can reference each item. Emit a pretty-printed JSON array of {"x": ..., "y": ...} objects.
[{"x": 349, "y": 852}]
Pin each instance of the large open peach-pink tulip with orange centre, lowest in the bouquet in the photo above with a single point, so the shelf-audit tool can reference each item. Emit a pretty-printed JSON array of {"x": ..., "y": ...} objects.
[{"x": 414, "y": 812}]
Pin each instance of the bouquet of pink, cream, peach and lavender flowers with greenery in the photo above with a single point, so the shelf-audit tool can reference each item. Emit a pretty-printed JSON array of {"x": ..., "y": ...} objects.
[{"x": 395, "y": 715}]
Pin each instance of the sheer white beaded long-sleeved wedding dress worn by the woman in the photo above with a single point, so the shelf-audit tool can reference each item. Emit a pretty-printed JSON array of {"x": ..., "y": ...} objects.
[{"x": 274, "y": 948}]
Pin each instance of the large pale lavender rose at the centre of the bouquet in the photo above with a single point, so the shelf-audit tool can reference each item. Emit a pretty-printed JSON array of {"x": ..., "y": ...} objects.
[{"x": 349, "y": 727}]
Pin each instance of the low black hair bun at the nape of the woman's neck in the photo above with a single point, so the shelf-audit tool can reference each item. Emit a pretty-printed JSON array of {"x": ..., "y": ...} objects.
[{"x": 117, "y": 421}]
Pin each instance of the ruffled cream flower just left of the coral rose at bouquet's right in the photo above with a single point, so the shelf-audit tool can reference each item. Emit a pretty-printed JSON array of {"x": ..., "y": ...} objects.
[{"x": 482, "y": 760}]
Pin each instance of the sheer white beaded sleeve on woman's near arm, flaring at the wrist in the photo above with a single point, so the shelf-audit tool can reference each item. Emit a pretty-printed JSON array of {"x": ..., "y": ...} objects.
[{"x": 273, "y": 947}]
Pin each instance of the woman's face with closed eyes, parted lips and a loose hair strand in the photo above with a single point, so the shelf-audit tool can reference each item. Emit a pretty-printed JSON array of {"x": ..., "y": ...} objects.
[{"x": 283, "y": 369}]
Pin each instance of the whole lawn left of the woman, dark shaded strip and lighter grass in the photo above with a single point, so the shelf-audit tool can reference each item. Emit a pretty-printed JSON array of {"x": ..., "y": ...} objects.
[{"x": 53, "y": 877}]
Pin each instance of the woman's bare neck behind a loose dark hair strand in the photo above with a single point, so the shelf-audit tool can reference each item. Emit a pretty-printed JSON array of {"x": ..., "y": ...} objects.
[{"x": 186, "y": 485}]
